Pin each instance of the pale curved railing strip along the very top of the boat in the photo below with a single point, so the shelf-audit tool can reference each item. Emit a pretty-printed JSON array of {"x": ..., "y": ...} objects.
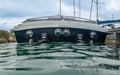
[{"x": 57, "y": 17}]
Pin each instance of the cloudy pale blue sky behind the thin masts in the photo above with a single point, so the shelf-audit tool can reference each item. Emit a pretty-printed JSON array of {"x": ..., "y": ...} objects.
[{"x": 13, "y": 12}]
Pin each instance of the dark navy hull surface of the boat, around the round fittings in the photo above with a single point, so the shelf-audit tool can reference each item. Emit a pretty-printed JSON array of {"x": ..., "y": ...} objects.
[{"x": 51, "y": 37}]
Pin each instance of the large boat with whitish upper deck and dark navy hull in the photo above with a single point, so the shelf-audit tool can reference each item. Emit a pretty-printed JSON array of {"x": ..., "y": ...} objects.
[{"x": 59, "y": 28}]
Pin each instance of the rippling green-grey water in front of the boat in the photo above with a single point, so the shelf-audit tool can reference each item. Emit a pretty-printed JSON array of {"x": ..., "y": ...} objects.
[{"x": 59, "y": 59}]
